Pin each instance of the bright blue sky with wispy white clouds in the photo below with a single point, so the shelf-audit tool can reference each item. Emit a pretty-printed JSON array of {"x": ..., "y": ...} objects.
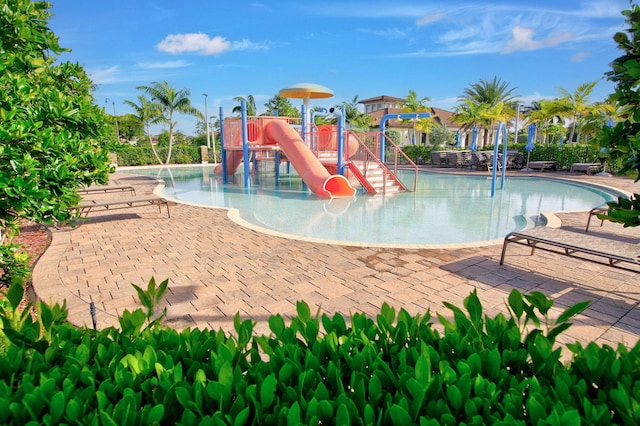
[{"x": 365, "y": 48}]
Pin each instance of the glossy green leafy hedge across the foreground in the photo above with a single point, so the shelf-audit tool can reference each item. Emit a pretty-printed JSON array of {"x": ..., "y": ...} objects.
[{"x": 394, "y": 369}]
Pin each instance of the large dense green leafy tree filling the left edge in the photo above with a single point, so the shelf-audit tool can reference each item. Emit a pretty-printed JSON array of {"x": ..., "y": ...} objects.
[{"x": 50, "y": 128}]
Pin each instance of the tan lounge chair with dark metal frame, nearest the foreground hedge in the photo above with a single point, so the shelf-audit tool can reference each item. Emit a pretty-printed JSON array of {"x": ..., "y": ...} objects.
[{"x": 617, "y": 254}]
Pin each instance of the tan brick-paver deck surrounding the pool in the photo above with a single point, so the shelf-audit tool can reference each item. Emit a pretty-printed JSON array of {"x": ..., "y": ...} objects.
[{"x": 216, "y": 268}]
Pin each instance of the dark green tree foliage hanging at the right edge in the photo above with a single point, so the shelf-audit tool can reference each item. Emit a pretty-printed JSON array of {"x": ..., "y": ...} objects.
[{"x": 623, "y": 140}]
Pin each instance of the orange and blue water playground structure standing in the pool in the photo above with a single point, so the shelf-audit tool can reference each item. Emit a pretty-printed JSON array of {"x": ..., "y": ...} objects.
[{"x": 331, "y": 161}]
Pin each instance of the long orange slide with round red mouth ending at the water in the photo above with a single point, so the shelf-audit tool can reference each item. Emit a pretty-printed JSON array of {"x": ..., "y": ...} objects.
[{"x": 311, "y": 170}]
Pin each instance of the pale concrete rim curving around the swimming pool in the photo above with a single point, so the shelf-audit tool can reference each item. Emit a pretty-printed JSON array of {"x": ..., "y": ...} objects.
[{"x": 551, "y": 218}]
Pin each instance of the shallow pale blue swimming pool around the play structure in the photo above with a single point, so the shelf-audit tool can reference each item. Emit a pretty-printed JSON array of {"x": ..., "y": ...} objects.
[{"x": 445, "y": 210}]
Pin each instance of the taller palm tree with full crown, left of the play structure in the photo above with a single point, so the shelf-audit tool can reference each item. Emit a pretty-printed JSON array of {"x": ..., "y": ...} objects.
[{"x": 170, "y": 101}]
